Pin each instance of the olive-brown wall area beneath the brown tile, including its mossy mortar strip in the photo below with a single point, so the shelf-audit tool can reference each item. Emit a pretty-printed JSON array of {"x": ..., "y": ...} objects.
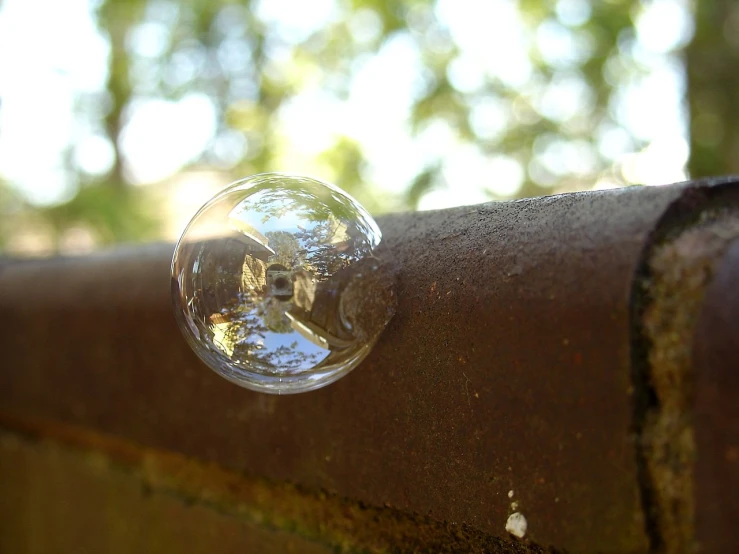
[{"x": 137, "y": 498}]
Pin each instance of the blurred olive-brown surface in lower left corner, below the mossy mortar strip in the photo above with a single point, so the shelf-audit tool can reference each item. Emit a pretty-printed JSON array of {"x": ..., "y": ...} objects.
[{"x": 59, "y": 501}]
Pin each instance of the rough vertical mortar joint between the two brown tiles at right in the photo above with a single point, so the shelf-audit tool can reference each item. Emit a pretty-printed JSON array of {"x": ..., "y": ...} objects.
[{"x": 679, "y": 266}]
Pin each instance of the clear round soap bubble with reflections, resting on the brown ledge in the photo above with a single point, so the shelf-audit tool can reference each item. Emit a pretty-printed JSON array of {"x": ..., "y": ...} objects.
[{"x": 276, "y": 286}]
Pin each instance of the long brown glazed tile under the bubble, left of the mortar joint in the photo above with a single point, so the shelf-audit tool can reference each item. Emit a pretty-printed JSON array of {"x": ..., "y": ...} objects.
[{"x": 515, "y": 370}]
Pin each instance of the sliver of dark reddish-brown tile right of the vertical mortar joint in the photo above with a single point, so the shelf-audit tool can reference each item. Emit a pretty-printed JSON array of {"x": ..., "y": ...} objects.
[{"x": 716, "y": 422}]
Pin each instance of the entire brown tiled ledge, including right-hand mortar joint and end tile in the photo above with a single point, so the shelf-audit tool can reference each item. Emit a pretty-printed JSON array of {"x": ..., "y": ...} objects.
[{"x": 575, "y": 355}]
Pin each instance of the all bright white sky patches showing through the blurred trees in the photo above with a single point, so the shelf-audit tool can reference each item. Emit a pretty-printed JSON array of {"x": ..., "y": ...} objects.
[{"x": 46, "y": 63}]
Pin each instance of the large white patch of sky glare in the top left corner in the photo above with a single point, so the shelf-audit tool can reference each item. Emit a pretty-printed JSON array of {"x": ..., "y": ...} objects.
[{"x": 64, "y": 55}]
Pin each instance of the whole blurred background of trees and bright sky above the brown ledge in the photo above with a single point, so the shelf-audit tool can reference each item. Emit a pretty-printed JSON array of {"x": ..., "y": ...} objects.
[{"x": 119, "y": 118}]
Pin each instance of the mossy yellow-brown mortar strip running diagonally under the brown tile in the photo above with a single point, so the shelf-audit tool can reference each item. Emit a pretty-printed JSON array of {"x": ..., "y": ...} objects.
[{"x": 344, "y": 525}]
